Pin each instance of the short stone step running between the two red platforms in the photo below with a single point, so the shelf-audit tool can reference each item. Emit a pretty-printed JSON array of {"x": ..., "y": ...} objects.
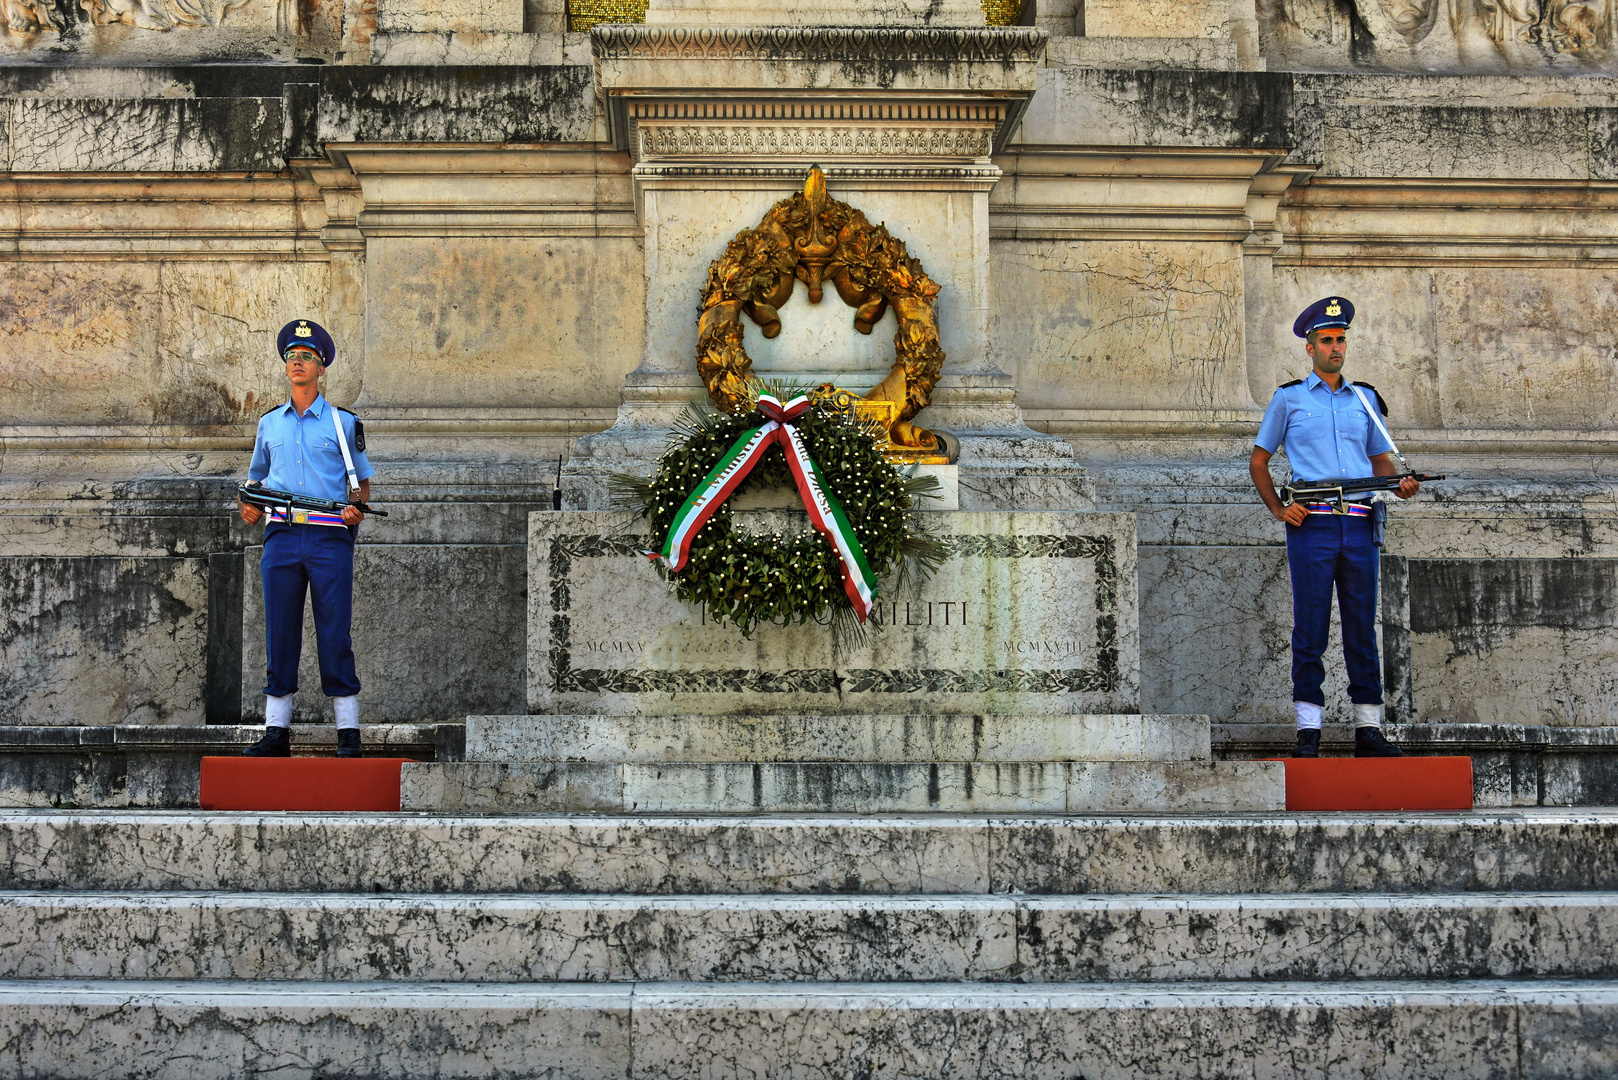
[{"x": 847, "y": 788}]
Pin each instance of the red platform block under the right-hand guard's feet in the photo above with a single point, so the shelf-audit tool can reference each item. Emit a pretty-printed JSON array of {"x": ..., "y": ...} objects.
[{"x": 1379, "y": 783}]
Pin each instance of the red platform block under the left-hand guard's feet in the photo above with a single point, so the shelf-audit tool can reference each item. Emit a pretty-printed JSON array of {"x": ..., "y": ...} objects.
[{"x": 302, "y": 783}]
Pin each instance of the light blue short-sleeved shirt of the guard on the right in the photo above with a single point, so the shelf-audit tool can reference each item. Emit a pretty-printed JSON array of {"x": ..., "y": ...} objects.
[{"x": 1328, "y": 435}]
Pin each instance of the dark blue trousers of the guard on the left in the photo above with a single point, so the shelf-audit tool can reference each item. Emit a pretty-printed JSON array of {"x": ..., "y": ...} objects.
[{"x": 318, "y": 559}]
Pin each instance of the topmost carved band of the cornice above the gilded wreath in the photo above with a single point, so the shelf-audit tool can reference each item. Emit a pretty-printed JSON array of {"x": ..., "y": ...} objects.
[{"x": 981, "y": 45}]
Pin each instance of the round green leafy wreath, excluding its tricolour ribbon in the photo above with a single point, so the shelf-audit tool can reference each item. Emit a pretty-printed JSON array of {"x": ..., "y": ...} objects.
[{"x": 748, "y": 579}]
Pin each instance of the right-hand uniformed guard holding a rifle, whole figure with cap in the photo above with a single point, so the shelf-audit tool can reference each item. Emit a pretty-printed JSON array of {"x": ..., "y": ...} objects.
[{"x": 1329, "y": 435}]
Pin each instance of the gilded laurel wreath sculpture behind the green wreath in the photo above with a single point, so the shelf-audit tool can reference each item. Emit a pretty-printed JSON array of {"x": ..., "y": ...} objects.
[{"x": 815, "y": 239}]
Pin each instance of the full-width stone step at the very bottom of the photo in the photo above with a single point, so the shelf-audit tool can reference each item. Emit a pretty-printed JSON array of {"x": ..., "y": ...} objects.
[{"x": 203, "y": 1031}]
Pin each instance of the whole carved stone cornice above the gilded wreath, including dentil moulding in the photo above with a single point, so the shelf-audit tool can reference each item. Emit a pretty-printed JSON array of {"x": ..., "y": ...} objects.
[{"x": 834, "y": 91}]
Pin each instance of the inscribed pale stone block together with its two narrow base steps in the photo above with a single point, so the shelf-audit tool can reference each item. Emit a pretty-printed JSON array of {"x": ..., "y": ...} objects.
[{"x": 1007, "y": 682}]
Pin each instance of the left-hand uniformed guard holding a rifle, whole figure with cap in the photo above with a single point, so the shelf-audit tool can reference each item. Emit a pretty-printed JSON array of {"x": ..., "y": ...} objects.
[{"x": 311, "y": 448}]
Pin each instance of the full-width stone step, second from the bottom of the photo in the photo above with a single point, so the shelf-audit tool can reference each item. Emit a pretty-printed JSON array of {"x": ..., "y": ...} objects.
[{"x": 855, "y": 940}]
